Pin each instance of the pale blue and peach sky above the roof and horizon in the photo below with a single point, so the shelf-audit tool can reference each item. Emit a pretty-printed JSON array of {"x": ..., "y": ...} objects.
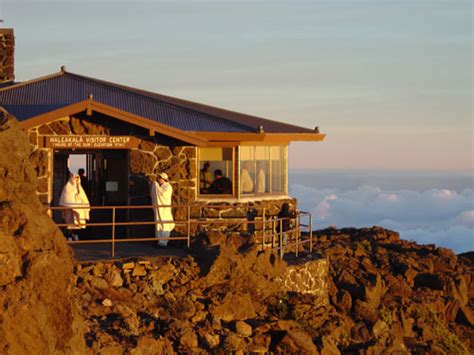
[{"x": 389, "y": 82}]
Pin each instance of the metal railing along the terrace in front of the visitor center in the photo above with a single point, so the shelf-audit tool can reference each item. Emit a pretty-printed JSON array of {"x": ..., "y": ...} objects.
[{"x": 269, "y": 233}]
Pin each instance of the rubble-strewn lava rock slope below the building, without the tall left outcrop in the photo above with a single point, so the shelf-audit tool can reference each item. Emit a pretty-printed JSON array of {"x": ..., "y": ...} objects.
[{"x": 386, "y": 295}]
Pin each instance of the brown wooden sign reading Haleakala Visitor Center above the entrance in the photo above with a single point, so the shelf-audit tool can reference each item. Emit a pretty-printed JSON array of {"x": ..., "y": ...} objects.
[{"x": 90, "y": 142}]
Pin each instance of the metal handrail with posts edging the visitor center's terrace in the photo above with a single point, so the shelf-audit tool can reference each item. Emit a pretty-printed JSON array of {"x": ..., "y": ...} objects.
[{"x": 262, "y": 221}]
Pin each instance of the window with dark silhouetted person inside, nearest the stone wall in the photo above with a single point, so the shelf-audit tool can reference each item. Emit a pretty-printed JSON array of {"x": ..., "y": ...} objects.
[{"x": 216, "y": 169}]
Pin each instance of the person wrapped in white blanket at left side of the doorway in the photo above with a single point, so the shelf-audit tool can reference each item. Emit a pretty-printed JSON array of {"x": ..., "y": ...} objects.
[{"x": 77, "y": 213}]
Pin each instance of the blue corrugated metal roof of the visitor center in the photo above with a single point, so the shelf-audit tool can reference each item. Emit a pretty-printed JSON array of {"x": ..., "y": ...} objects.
[{"x": 30, "y": 99}]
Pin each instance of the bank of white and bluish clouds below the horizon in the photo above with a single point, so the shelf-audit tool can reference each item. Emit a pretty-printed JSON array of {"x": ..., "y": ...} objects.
[{"x": 444, "y": 217}]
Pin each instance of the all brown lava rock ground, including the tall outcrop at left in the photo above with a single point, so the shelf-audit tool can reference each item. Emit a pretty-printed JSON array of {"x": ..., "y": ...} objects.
[{"x": 384, "y": 295}]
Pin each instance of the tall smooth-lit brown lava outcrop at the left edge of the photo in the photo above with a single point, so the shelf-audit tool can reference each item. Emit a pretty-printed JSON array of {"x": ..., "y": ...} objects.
[{"x": 36, "y": 299}]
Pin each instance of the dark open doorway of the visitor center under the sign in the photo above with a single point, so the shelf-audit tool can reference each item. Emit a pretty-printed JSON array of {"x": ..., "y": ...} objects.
[{"x": 106, "y": 183}]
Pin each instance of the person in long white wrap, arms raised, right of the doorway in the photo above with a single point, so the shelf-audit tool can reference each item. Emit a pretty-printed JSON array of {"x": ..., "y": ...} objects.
[{"x": 161, "y": 192}]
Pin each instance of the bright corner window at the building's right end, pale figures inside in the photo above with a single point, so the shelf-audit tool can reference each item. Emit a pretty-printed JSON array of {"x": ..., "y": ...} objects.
[{"x": 262, "y": 169}]
